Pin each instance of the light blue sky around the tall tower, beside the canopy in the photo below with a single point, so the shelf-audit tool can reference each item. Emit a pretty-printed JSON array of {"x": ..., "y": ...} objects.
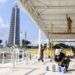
[{"x": 26, "y": 23}]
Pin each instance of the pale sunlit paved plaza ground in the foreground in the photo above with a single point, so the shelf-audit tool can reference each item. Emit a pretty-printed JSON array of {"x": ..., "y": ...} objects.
[{"x": 32, "y": 67}]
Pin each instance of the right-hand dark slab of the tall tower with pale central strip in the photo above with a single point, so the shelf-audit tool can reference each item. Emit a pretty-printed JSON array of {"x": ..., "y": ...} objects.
[{"x": 17, "y": 31}]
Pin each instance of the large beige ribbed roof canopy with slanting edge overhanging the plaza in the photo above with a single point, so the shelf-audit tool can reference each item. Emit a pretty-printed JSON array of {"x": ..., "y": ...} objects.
[{"x": 52, "y": 15}]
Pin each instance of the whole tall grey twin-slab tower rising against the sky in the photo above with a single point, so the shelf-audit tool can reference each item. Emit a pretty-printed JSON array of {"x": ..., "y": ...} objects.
[{"x": 14, "y": 34}]
